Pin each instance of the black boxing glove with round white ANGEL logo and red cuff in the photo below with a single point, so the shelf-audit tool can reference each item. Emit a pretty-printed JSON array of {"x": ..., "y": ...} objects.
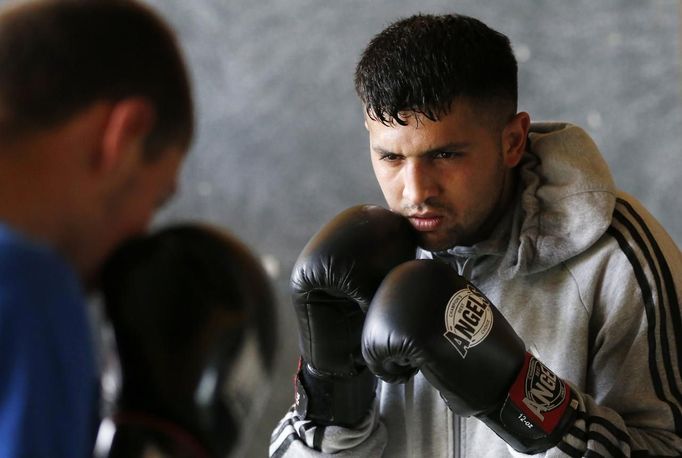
[{"x": 426, "y": 317}]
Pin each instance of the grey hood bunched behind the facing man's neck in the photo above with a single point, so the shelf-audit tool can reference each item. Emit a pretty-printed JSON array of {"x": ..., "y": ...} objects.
[{"x": 564, "y": 203}]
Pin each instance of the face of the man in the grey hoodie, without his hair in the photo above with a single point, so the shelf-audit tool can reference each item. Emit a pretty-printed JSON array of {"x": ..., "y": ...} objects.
[{"x": 450, "y": 177}]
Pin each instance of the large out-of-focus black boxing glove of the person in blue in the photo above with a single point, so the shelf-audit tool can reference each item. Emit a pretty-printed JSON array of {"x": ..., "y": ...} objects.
[{"x": 193, "y": 317}]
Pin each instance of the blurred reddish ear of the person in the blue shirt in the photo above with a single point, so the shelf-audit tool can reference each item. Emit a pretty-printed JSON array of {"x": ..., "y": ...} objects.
[{"x": 129, "y": 123}]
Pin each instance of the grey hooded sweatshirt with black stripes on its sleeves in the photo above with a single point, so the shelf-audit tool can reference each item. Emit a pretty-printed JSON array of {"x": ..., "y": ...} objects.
[{"x": 591, "y": 282}]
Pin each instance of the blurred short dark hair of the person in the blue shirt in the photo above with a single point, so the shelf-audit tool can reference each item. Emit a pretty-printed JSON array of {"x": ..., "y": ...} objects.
[{"x": 58, "y": 57}]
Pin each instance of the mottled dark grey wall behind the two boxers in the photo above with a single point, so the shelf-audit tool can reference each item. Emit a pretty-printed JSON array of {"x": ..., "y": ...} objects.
[{"x": 281, "y": 146}]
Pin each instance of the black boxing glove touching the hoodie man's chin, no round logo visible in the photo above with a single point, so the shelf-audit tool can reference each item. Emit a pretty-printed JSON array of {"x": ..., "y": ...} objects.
[{"x": 333, "y": 282}]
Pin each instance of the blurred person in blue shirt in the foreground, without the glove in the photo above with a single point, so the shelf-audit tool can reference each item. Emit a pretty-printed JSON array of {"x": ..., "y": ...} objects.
[{"x": 96, "y": 117}]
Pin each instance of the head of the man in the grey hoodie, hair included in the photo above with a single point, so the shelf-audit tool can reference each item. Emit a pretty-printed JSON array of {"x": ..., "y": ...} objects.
[{"x": 440, "y": 100}]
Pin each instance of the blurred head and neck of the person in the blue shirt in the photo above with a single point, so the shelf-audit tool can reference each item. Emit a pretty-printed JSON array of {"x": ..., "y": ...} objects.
[{"x": 95, "y": 105}]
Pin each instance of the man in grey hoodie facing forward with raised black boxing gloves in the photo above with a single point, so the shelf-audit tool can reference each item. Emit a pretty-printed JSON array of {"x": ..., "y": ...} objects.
[{"x": 544, "y": 314}]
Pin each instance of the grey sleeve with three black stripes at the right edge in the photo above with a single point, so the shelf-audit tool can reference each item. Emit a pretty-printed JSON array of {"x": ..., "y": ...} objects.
[{"x": 631, "y": 404}]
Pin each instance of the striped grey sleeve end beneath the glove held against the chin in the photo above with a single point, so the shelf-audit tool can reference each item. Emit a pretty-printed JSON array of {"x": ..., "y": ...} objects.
[{"x": 297, "y": 437}]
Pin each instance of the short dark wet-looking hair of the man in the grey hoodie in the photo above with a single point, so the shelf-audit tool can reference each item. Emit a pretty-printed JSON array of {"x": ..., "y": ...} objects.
[{"x": 423, "y": 63}]
